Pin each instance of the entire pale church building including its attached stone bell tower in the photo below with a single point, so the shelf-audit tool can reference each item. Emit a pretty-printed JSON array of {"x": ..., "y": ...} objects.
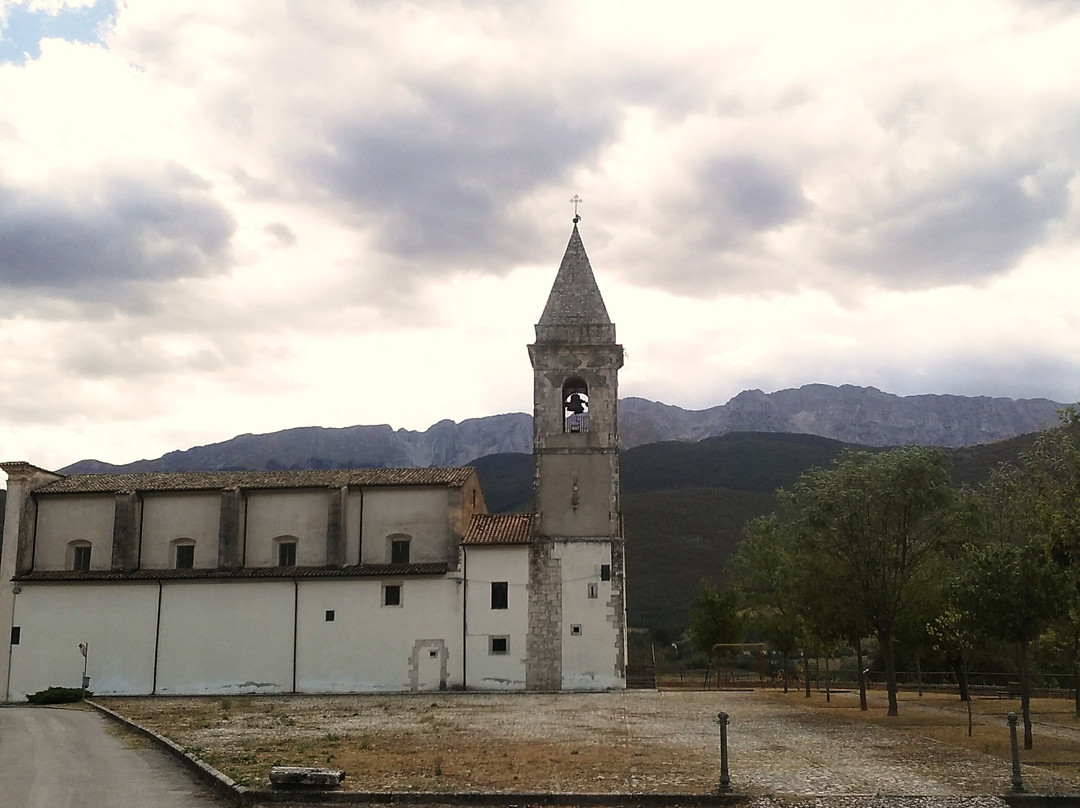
[{"x": 367, "y": 581}]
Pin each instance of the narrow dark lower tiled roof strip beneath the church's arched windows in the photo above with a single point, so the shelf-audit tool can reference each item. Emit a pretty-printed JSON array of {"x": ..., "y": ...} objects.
[{"x": 357, "y": 571}]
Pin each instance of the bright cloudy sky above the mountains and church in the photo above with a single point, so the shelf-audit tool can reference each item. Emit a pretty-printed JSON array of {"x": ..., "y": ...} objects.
[{"x": 227, "y": 218}]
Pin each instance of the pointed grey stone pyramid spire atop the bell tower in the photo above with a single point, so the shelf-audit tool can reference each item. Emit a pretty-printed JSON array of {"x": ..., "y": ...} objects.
[{"x": 575, "y": 312}]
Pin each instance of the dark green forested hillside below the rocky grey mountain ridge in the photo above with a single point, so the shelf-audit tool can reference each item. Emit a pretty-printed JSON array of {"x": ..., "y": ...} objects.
[{"x": 685, "y": 505}]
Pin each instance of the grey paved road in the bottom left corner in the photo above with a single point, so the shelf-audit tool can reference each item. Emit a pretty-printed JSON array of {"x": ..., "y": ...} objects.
[{"x": 55, "y": 758}]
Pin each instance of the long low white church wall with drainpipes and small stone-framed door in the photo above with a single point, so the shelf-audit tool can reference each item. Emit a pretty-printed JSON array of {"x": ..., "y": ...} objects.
[{"x": 238, "y": 637}]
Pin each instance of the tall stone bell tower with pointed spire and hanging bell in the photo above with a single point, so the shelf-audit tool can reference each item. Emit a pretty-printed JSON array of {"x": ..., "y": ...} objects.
[{"x": 577, "y": 599}]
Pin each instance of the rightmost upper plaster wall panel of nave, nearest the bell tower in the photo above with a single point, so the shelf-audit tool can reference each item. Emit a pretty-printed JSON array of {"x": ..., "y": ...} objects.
[{"x": 420, "y": 514}]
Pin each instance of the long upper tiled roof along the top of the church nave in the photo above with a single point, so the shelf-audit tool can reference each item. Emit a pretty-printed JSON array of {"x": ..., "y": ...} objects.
[{"x": 224, "y": 480}]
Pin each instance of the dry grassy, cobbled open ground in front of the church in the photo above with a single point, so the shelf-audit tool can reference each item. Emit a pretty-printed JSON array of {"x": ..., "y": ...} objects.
[{"x": 627, "y": 743}]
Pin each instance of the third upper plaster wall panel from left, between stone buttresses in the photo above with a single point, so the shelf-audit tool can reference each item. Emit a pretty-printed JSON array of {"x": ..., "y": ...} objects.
[{"x": 273, "y": 514}]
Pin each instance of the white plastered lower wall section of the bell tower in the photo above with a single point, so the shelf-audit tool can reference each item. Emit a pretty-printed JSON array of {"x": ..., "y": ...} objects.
[{"x": 590, "y": 636}]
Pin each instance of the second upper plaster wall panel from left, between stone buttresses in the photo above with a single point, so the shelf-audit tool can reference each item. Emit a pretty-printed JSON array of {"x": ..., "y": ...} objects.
[{"x": 170, "y": 517}]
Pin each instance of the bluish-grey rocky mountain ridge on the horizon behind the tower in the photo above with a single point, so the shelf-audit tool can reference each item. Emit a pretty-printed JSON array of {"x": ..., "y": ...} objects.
[{"x": 862, "y": 415}]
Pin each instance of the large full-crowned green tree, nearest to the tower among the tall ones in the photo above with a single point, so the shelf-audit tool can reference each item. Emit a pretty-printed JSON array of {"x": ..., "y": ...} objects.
[{"x": 873, "y": 521}]
